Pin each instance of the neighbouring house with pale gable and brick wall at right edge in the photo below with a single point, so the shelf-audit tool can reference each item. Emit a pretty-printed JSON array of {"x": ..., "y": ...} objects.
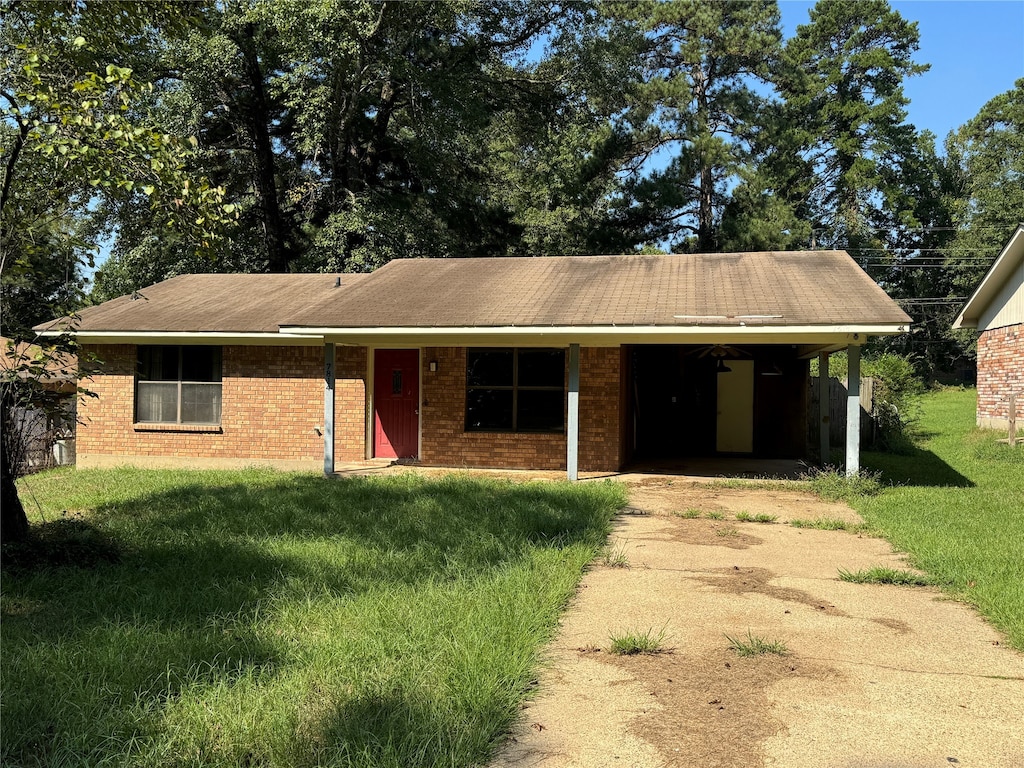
[{"x": 997, "y": 310}]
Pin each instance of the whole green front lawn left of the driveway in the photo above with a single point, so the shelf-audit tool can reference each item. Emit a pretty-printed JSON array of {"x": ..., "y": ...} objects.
[{"x": 260, "y": 619}]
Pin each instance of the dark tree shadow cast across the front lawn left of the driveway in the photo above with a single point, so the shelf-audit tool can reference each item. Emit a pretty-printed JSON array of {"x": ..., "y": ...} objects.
[{"x": 92, "y": 656}]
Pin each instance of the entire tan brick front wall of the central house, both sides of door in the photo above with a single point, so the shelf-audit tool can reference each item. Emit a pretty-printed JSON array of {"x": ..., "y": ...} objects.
[{"x": 273, "y": 404}]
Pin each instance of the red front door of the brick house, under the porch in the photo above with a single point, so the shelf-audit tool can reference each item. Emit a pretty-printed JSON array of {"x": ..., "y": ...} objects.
[{"x": 397, "y": 404}]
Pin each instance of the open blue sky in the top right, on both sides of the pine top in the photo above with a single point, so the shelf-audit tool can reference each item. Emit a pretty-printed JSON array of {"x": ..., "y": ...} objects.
[{"x": 975, "y": 48}]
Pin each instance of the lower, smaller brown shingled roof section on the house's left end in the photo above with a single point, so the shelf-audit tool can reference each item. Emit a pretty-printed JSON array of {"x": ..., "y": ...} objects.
[{"x": 225, "y": 304}]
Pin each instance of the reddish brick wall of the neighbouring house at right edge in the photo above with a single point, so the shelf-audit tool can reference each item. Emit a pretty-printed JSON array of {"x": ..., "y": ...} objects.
[{"x": 1001, "y": 373}]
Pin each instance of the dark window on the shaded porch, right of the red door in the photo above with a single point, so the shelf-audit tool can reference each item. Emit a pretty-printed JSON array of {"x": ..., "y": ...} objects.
[{"x": 516, "y": 391}]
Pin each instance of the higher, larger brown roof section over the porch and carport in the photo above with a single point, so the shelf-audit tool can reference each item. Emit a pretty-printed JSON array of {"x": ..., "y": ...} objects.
[{"x": 806, "y": 288}]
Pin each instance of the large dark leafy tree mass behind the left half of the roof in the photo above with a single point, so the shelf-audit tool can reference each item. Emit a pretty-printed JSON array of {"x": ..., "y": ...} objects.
[{"x": 351, "y": 134}]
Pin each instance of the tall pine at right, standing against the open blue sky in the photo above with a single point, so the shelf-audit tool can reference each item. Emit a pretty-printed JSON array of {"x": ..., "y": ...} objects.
[{"x": 844, "y": 93}]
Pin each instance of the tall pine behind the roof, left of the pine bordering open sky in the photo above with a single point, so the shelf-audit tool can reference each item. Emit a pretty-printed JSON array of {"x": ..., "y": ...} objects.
[{"x": 700, "y": 109}]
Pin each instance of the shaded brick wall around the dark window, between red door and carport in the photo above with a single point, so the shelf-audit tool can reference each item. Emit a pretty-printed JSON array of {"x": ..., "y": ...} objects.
[{"x": 446, "y": 442}]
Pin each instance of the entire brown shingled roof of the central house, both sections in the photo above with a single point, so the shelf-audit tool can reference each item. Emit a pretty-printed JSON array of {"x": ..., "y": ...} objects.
[{"x": 809, "y": 288}]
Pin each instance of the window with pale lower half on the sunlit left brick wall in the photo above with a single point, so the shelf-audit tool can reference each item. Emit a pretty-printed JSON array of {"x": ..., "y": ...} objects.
[{"x": 179, "y": 386}]
